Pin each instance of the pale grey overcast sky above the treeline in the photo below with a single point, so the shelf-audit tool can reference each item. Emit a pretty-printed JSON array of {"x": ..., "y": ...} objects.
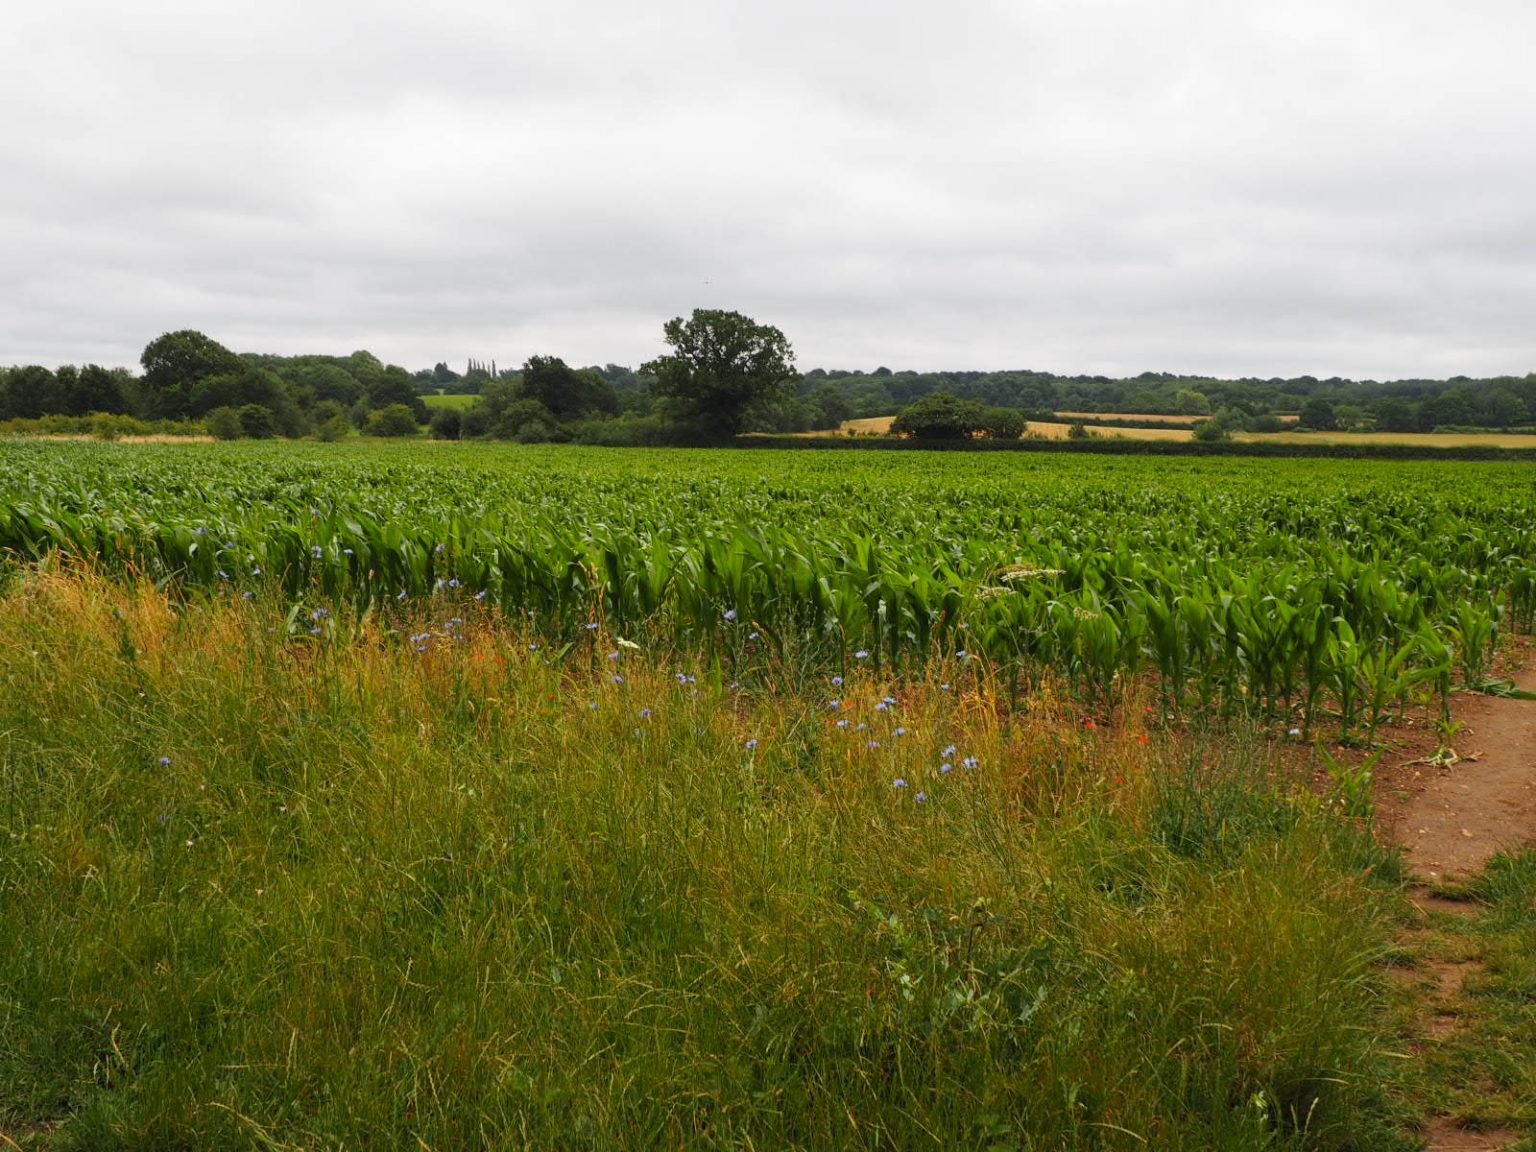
[{"x": 1219, "y": 187}]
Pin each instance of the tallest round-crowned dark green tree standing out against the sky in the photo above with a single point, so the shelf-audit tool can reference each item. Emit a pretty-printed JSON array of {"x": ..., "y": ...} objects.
[{"x": 721, "y": 366}]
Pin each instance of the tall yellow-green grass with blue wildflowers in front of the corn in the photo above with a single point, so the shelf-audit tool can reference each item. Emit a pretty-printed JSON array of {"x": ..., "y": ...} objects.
[{"x": 435, "y": 887}]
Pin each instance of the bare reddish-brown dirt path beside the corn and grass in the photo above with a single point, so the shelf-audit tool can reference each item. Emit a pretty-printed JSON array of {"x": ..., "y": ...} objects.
[{"x": 1451, "y": 816}]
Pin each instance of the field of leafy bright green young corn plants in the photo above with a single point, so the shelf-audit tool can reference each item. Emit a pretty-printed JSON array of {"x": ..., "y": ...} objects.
[{"x": 1279, "y": 591}]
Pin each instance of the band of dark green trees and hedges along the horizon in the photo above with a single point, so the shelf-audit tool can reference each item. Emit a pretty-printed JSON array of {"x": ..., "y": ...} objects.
[{"x": 188, "y": 382}]
